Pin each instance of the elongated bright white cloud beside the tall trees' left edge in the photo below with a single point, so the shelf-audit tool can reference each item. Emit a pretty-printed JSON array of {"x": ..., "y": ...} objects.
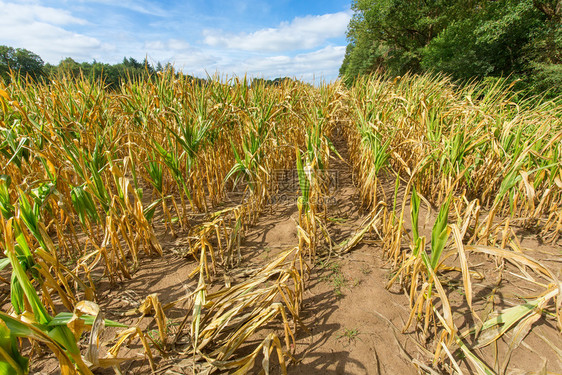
[{"x": 302, "y": 33}]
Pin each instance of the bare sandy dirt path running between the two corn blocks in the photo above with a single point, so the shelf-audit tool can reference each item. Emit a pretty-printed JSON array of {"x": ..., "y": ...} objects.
[{"x": 351, "y": 315}]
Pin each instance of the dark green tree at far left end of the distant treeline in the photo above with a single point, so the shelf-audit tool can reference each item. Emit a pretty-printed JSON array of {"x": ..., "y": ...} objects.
[{"x": 21, "y": 61}]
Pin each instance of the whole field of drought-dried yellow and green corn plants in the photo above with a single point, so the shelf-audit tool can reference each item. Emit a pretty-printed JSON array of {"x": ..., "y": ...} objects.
[{"x": 91, "y": 179}]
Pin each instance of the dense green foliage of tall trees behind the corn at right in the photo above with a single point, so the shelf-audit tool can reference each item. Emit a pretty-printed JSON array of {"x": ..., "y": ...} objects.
[{"x": 465, "y": 39}]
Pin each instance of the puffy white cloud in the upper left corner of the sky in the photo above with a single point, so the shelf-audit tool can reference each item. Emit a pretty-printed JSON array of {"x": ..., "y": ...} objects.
[{"x": 40, "y": 29}]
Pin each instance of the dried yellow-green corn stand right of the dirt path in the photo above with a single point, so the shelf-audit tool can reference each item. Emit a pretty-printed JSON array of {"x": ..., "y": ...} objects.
[{"x": 487, "y": 164}]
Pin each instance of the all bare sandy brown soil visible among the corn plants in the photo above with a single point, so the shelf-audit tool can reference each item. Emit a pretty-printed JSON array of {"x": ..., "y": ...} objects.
[{"x": 355, "y": 322}]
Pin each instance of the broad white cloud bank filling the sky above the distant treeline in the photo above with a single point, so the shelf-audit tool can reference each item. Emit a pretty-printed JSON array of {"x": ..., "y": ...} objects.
[{"x": 58, "y": 32}]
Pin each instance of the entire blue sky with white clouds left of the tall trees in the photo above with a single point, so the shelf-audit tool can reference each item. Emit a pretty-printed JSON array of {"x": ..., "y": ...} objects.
[{"x": 265, "y": 39}]
